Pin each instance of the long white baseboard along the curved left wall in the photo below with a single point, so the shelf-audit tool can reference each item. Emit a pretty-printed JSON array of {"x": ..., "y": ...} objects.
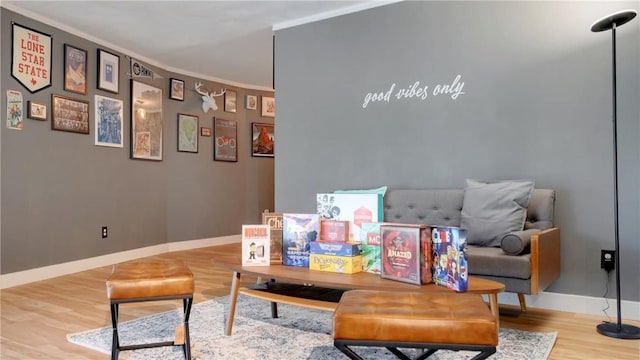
[{"x": 50, "y": 272}]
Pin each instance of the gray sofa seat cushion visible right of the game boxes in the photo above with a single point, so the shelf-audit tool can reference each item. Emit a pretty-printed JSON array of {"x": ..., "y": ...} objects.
[{"x": 492, "y": 261}]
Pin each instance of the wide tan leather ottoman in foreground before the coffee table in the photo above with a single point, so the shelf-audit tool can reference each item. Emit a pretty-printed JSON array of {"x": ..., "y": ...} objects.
[{"x": 393, "y": 320}]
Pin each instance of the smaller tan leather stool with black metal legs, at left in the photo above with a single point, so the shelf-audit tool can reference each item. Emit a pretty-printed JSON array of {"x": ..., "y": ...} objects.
[{"x": 138, "y": 281}]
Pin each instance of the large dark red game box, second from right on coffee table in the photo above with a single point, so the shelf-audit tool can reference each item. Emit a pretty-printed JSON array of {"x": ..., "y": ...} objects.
[{"x": 401, "y": 252}]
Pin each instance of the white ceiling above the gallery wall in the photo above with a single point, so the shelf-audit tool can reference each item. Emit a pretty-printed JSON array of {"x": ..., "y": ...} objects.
[{"x": 227, "y": 41}]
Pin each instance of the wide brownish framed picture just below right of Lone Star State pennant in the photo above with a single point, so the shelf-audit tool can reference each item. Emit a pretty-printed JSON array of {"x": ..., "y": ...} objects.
[{"x": 69, "y": 114}]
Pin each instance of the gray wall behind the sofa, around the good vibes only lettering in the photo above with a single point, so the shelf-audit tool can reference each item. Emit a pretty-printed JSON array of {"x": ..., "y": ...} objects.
[{"x": 536, "y": 104}]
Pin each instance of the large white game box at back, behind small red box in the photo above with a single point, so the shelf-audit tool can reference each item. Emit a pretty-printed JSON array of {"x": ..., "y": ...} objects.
[{"x": 355, "y": 208}]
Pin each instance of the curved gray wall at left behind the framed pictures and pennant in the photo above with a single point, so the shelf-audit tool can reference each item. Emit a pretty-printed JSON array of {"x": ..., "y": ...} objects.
[{"x": 59, "y": 189}]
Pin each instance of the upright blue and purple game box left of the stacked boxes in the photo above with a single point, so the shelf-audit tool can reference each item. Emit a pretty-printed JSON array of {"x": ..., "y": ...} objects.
[{"x": 298, "y": 232}]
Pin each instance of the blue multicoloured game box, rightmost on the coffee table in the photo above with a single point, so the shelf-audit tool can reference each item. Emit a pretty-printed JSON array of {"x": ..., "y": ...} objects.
[{"x": 450, "y": 257}]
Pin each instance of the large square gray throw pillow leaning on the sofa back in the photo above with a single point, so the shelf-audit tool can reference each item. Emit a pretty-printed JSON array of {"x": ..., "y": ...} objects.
[{"x": 492, "y": 209}]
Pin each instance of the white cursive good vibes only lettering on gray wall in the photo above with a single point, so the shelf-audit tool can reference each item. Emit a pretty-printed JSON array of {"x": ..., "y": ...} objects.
[{"x": 416, "y": 91}]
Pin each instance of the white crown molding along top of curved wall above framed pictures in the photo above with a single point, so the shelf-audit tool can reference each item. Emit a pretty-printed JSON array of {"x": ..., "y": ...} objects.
[{"x": 127, "y": 52}]
